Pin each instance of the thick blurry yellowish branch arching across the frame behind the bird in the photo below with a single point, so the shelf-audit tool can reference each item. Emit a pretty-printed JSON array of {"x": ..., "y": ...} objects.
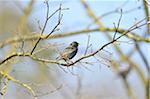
[{"x": 17, "y": 39}]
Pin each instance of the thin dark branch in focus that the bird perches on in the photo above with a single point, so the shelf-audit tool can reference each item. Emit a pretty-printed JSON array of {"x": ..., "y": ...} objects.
[{"x": 135, "y": 26}]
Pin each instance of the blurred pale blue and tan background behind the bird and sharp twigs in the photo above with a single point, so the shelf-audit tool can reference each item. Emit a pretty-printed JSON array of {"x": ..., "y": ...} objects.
[{"x": 117, "y": 72}]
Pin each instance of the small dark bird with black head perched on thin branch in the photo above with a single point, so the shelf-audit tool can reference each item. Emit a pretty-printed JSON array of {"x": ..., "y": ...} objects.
[{"x": 69, "y": 52}]
